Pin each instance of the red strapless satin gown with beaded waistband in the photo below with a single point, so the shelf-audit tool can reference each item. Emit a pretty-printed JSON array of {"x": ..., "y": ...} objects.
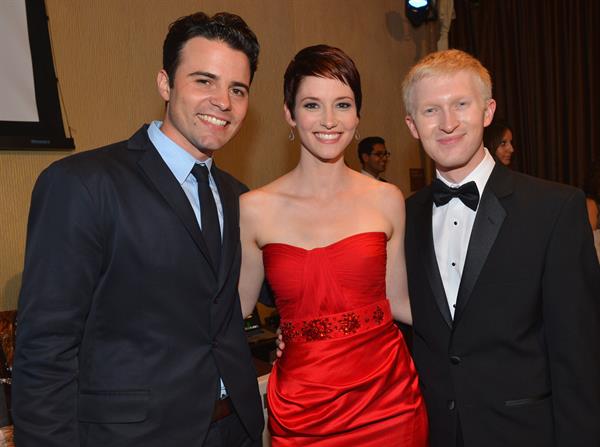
[{"x": 346, "y": 378}]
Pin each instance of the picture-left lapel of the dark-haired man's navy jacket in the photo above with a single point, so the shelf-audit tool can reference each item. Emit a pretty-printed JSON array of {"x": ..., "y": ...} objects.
[{"x": 166, "y": 184}]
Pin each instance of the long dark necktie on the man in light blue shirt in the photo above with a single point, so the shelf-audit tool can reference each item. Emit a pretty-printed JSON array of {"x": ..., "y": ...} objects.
[{"x": 211, "y": 230}]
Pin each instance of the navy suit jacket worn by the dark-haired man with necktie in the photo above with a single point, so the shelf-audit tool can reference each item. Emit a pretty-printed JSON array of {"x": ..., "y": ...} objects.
[{"x": 124, "y": 325}]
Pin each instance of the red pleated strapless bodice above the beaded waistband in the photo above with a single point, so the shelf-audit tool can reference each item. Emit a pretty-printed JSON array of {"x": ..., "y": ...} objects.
[{"x": 342, "y": 276}]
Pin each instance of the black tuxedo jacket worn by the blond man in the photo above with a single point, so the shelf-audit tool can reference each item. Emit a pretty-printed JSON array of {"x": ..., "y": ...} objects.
[{"x": 519, "y": 365}]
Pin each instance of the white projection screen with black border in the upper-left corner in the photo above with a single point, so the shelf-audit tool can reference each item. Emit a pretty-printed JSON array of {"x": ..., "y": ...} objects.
[{"x": 30, "y": 114}]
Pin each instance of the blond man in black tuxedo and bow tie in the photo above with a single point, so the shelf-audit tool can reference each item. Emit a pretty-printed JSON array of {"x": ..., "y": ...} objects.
[{"x": 504, "y": 286}]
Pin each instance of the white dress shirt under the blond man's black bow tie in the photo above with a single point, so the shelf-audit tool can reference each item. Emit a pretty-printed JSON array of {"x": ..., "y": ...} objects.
[{"x": 452, "y": 225}]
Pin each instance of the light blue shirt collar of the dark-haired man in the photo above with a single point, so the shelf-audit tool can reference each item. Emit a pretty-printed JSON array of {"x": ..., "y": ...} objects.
[{"x": 176, "y": 158}]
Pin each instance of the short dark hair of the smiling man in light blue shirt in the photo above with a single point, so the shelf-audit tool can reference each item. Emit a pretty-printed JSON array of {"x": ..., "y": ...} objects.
[{"x": 223, "y": 26}]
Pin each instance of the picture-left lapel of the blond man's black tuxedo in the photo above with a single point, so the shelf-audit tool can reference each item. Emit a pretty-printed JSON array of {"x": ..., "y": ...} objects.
[{"x": 425, "y": 240}]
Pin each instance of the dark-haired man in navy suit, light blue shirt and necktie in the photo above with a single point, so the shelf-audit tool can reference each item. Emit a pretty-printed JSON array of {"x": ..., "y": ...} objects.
[{"x": 130, "y": 327}]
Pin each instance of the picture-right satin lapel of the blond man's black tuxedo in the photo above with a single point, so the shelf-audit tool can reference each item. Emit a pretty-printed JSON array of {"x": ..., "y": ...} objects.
[{"x": 488, "y": 221}]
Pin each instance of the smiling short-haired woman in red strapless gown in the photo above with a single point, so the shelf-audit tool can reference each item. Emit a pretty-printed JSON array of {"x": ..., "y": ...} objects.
[{"x": 331, "y": 244}]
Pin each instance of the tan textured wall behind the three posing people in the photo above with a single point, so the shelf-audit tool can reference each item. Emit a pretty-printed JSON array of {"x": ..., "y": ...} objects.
[{"x": 107, "y": 54}]
